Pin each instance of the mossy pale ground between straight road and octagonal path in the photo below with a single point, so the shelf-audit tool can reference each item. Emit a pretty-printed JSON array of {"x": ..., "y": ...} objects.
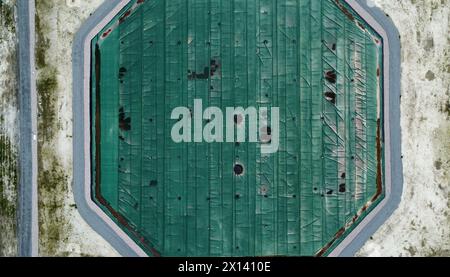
[{"x": 62, "y": 230}]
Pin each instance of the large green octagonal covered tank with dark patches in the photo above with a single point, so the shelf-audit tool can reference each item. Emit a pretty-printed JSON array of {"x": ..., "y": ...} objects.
[{"x": 235, "y": 128}]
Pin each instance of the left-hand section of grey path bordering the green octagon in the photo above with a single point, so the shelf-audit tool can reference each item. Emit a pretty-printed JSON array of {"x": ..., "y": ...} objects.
[{"x": 90, "y": 212}]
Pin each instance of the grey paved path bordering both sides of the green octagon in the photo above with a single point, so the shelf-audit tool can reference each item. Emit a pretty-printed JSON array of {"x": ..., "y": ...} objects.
[{"x": 394, "y": 174}]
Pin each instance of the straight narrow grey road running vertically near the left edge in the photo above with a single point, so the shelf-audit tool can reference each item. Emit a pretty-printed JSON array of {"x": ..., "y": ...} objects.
[{"x": 28, "y": 206}]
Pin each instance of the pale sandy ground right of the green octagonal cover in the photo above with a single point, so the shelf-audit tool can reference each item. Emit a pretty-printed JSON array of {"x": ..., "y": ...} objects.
[{"x": 421, "y": 225}]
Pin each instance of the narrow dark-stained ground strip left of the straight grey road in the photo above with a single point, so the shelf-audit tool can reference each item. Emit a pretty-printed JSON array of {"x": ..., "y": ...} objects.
[{"x": 8, "y": 130}]
